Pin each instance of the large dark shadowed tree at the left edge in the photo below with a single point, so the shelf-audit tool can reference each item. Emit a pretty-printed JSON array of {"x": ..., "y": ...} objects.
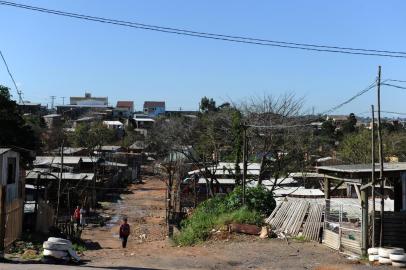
[{"x": 14, "y": 131}]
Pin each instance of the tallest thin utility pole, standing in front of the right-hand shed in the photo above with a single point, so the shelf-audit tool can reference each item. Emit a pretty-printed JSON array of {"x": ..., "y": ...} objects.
[{"x": 382, "y": 189}]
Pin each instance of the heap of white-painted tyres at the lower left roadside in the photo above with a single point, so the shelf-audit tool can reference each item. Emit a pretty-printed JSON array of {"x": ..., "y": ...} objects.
[{"x": 59, "y": 249}]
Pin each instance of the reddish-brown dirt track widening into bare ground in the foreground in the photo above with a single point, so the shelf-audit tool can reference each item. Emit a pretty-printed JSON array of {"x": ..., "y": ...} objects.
[{"x": 144, "y": 205}]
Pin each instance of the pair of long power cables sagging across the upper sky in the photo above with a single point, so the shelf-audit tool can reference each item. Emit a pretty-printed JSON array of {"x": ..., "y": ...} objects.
[{"x": 230, "y": 38}]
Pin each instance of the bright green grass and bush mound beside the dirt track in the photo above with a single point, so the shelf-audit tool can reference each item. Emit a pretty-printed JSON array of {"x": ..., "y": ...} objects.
[{"x": 219, "y": 211}]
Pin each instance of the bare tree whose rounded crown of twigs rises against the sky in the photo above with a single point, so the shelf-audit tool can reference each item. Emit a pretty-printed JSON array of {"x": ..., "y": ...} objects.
[{"x": 280, "y": 150}]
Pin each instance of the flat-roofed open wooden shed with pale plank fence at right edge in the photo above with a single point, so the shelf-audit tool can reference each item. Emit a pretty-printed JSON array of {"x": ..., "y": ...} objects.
[{"x": 349, "y": 230}]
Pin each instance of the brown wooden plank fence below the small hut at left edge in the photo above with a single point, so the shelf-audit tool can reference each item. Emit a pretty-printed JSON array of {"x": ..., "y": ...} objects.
[{"x": 14, "y": 221}]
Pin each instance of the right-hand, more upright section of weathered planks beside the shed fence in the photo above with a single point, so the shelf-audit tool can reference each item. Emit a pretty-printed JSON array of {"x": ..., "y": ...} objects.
[{"x": 313, "y": 223}]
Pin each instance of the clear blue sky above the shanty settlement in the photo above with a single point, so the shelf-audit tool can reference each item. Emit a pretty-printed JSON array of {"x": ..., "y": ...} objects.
[{"x": 52, "y": 55}]
